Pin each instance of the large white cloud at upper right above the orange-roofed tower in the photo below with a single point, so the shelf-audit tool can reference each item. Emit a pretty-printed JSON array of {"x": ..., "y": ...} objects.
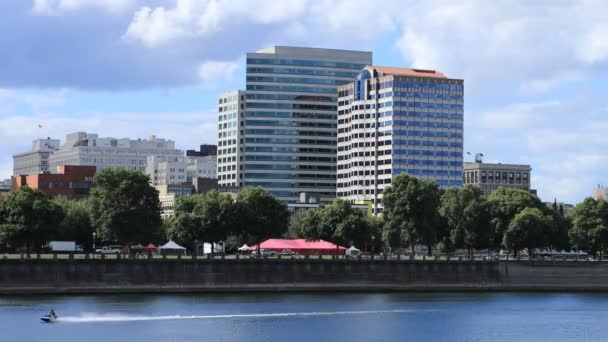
[{"x": 536, "y": 45}]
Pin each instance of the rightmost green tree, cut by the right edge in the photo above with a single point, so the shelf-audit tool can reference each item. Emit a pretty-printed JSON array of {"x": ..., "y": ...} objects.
[{"x": 589, "y": 226}]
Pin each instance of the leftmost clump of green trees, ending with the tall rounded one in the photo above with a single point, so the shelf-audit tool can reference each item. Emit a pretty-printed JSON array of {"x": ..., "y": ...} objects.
[{"x": 121, "y": 207}]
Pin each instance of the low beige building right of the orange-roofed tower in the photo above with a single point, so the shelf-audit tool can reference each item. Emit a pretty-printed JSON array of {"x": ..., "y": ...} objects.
[{"x": 489, "y": 176}]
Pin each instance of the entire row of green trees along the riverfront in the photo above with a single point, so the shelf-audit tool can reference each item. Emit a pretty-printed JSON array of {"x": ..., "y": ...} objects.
[{"x": 123, "y": 207}]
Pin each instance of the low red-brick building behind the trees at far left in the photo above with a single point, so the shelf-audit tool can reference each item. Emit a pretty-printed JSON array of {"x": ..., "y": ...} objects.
[{"x": 70, "y": 181}]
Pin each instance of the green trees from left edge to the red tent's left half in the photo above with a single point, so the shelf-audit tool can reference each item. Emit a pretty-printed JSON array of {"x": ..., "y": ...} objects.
[{"x": 123, "y": 208}]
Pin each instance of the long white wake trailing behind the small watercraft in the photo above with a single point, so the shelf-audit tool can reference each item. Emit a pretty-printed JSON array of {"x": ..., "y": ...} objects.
[{"x": 88, "y": 318}]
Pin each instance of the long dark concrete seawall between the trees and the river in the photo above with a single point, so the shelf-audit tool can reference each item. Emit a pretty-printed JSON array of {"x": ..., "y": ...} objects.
[{"x": 116, "y": 276}]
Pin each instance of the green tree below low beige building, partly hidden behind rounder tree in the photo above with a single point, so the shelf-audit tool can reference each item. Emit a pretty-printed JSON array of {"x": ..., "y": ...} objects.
[{"x": 505, "y": 204}]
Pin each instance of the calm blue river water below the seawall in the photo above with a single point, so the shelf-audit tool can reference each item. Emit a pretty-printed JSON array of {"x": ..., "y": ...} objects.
[{"x": 308, "y": 317}]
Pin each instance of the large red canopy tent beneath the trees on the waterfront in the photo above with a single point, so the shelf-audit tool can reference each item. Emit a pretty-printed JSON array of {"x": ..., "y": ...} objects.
[{"x": 301, "y": 246}]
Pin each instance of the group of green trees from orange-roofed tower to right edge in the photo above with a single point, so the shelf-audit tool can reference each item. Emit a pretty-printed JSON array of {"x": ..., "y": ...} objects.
[{"x": 417, "y": 211}]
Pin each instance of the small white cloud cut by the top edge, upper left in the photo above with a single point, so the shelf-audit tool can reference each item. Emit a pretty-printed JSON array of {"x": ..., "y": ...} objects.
[{"x": 58, "y": 7}]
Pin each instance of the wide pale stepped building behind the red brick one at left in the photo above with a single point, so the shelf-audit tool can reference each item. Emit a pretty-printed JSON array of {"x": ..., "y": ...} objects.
[{"x": 82, "y": 148}]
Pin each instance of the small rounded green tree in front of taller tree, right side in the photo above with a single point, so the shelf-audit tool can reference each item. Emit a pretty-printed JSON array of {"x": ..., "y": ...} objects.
[{"x": 527, "y": 230}]
